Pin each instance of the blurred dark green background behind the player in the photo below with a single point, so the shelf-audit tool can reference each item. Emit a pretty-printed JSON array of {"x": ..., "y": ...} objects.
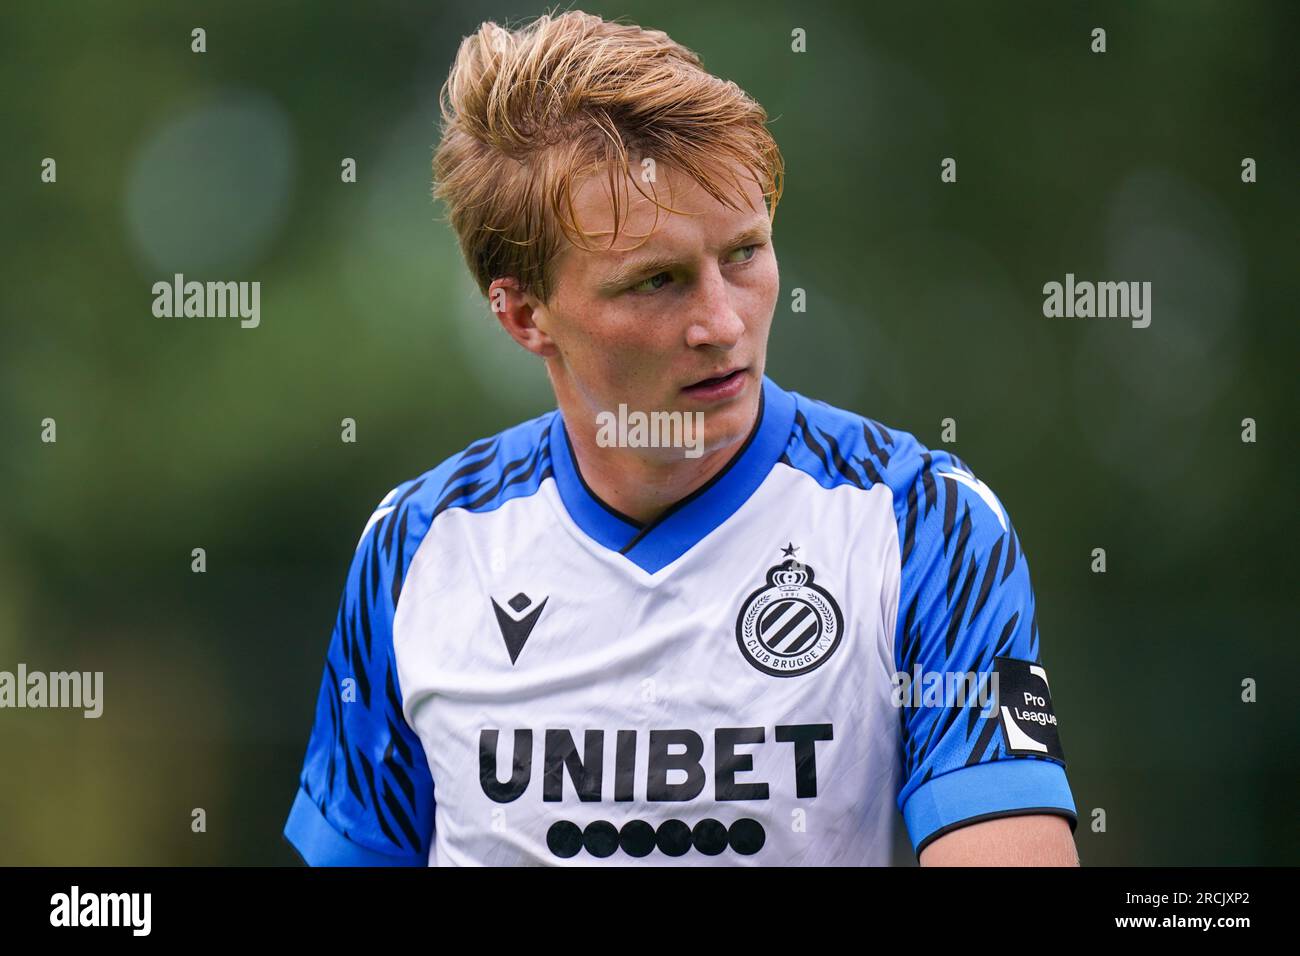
[{"x": 925, "y": 302}]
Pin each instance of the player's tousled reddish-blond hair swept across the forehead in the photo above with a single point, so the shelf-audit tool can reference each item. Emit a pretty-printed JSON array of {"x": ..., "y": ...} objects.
[{"x": 527, "y": 113}]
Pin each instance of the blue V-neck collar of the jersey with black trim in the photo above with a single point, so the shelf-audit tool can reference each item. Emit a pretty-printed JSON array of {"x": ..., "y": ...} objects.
[{"x": 677, "y": 531}]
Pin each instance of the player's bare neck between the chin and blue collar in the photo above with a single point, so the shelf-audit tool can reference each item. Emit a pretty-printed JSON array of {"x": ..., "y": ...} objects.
[{"x": 640, "y": 486}]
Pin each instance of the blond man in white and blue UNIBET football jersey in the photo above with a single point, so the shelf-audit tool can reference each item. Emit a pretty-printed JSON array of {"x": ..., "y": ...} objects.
[{"x": 577, "y": 644}]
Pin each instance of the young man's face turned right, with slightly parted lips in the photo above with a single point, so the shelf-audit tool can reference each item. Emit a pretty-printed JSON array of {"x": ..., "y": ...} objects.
[{"x": 679, "y": 325}]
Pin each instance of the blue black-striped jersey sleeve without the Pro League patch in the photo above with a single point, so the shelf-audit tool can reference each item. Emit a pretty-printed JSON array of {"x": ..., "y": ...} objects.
[{"x": 366, "y": 793}]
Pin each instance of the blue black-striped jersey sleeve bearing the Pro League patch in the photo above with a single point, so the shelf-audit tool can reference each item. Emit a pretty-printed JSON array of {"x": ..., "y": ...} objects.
[{"x": 981, "y": 741}]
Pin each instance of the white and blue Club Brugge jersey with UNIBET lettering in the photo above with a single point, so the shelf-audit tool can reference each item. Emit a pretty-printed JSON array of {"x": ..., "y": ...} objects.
[{"x": 521, "y": 674}]
